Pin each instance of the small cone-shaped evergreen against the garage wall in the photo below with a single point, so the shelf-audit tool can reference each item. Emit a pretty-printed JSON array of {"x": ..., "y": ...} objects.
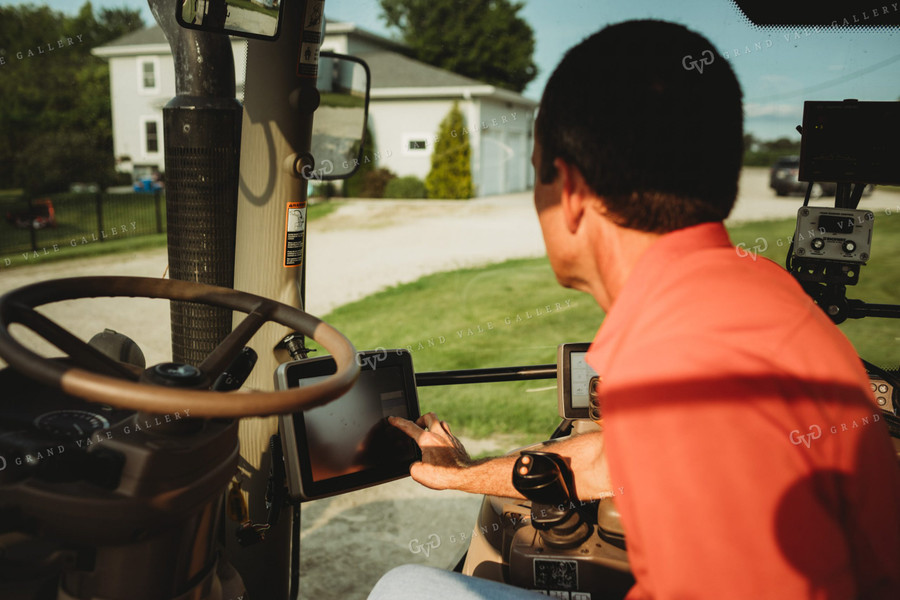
[{"x": 451, "y": 171}]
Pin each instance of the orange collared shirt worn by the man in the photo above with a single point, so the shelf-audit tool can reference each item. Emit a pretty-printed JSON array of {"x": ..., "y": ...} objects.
[{"x": 739, "y": 424}]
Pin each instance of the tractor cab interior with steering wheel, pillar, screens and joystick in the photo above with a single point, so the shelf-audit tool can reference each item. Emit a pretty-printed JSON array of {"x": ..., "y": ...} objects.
[{"x": 117, "y": 478}]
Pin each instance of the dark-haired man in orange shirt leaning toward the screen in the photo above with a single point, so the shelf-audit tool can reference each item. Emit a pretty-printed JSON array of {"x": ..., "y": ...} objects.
[{"x": 713, "y": 364}]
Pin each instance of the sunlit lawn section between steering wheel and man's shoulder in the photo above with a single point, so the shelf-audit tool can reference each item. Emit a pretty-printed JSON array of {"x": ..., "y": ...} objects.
[{"x": 513, "y": 313}]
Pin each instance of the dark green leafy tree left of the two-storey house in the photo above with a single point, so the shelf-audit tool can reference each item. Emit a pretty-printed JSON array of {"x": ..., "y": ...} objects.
[{"x": 56, "y": 93}]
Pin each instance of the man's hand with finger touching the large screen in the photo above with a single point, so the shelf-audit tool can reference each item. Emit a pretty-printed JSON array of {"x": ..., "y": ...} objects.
[{"x": 444, "y": 459}]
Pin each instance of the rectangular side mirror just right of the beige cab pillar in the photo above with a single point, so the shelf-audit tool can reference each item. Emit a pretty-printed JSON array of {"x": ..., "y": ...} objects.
[{"x": 339, "y": 124}]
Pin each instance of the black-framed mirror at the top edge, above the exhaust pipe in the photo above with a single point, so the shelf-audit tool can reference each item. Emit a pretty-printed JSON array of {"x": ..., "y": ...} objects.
[{"x": 247, "y": 18}]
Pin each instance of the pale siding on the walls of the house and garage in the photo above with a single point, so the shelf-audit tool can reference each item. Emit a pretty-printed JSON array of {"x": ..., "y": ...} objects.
[{"x": 500, "y": 153}]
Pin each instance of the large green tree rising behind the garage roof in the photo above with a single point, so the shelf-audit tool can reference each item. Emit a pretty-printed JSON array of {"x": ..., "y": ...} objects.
[{"x": 486, "y": 40}]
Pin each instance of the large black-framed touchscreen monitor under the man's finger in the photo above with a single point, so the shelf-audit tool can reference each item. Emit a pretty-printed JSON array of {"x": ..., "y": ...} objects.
[{"x": 348, "y": 444}]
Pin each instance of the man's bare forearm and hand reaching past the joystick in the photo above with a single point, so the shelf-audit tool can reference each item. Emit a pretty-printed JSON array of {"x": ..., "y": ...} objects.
[{"x": 446, "y": 464}]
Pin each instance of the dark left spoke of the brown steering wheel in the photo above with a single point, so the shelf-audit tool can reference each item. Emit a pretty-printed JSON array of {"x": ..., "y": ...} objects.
[{"x": 81, "y": 353}]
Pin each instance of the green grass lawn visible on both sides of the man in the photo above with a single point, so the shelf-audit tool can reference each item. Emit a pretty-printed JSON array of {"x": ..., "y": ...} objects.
[{"x": 515, "y": 313}]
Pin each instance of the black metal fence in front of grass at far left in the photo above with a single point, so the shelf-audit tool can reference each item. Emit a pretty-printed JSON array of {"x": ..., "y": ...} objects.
[{"x": 34, "y": 228}]
